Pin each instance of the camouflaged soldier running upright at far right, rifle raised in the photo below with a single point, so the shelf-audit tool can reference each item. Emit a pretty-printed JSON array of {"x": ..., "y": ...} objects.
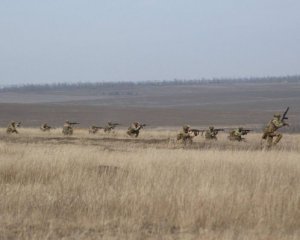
[{"x": 271, "y": 128}]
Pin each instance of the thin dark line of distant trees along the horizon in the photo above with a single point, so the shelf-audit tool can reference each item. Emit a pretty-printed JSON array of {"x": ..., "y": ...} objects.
[{"x": 93, "y": 85}]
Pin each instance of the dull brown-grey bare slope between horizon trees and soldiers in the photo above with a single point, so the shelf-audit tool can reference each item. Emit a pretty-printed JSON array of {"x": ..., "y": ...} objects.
[{"x": 158, "y": 105}]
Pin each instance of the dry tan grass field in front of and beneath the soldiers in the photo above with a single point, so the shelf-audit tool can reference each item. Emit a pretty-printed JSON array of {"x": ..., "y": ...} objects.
[{"x": 115, "y": 187}]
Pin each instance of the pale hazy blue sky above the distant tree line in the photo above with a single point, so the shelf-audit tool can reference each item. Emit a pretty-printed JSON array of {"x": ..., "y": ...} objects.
[{"x": 53, "y": 41}]
